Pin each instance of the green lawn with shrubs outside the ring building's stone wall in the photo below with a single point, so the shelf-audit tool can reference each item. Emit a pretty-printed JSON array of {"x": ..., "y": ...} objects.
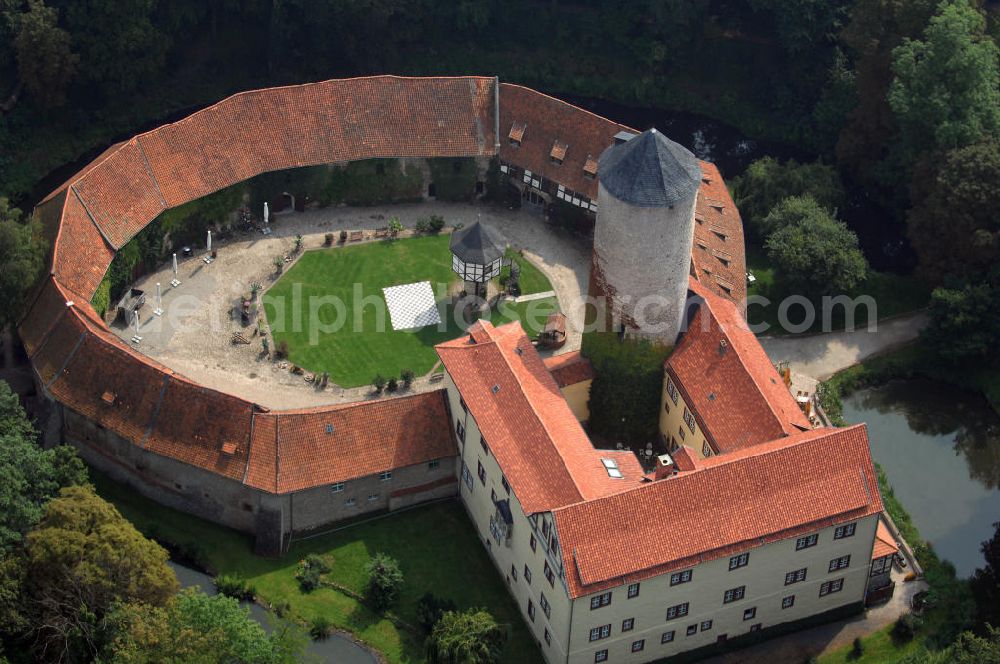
[{"x": 437, "y": 548}]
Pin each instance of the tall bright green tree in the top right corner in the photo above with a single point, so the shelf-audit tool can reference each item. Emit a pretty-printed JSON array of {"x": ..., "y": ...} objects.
[{"x": 946, "y": 93}]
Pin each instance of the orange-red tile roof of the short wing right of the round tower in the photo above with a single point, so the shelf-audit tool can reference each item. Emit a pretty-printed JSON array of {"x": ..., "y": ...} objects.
[{"x": 728, "y": 381}]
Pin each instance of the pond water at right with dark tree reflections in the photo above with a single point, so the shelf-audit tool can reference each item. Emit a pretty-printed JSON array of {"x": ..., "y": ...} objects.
[{"x": 940, "y": 448}]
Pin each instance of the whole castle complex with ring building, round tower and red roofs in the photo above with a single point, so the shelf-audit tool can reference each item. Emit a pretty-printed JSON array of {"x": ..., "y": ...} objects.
[{"x": 756, "y": 518}]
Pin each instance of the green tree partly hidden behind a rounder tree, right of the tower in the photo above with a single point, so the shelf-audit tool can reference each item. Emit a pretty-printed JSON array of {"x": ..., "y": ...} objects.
[{"x": 767, "y": 181}]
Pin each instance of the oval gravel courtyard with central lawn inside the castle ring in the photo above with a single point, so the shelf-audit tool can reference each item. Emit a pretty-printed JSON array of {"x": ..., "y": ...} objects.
[{"x": 194, "y": 335}]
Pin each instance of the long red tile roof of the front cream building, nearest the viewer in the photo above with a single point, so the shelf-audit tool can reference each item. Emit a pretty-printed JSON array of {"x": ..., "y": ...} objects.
[{"x": 778, "y": 490}]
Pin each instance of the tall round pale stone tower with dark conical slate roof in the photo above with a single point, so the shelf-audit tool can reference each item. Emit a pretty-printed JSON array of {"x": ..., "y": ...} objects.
[{"x": 642, "y": 240}]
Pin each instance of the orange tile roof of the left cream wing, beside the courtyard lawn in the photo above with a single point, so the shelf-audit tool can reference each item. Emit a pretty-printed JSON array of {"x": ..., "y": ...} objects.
[{"x": 543, "y": 450}]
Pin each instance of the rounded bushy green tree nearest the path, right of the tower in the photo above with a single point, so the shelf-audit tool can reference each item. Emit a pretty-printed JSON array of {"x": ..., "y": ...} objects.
[{"x": 814, "y": 252}]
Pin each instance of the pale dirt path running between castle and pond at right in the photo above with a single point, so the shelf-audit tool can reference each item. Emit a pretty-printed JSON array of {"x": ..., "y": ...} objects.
[{"x": 822, "y": 355}]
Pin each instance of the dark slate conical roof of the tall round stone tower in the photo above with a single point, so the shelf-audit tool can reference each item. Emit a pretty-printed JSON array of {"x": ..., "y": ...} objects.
[{"x": 649, "y": 171}]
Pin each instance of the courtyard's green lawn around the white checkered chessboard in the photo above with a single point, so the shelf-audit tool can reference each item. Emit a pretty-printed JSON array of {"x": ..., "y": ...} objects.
[{"x": 355, "y": 276}]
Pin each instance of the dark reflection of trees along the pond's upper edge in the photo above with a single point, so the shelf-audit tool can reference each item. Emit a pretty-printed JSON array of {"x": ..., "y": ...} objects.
[{"x": 935, "y": 409}]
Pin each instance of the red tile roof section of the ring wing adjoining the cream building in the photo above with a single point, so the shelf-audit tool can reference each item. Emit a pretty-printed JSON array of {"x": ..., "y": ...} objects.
[{"x": 305, "y": 448}]
